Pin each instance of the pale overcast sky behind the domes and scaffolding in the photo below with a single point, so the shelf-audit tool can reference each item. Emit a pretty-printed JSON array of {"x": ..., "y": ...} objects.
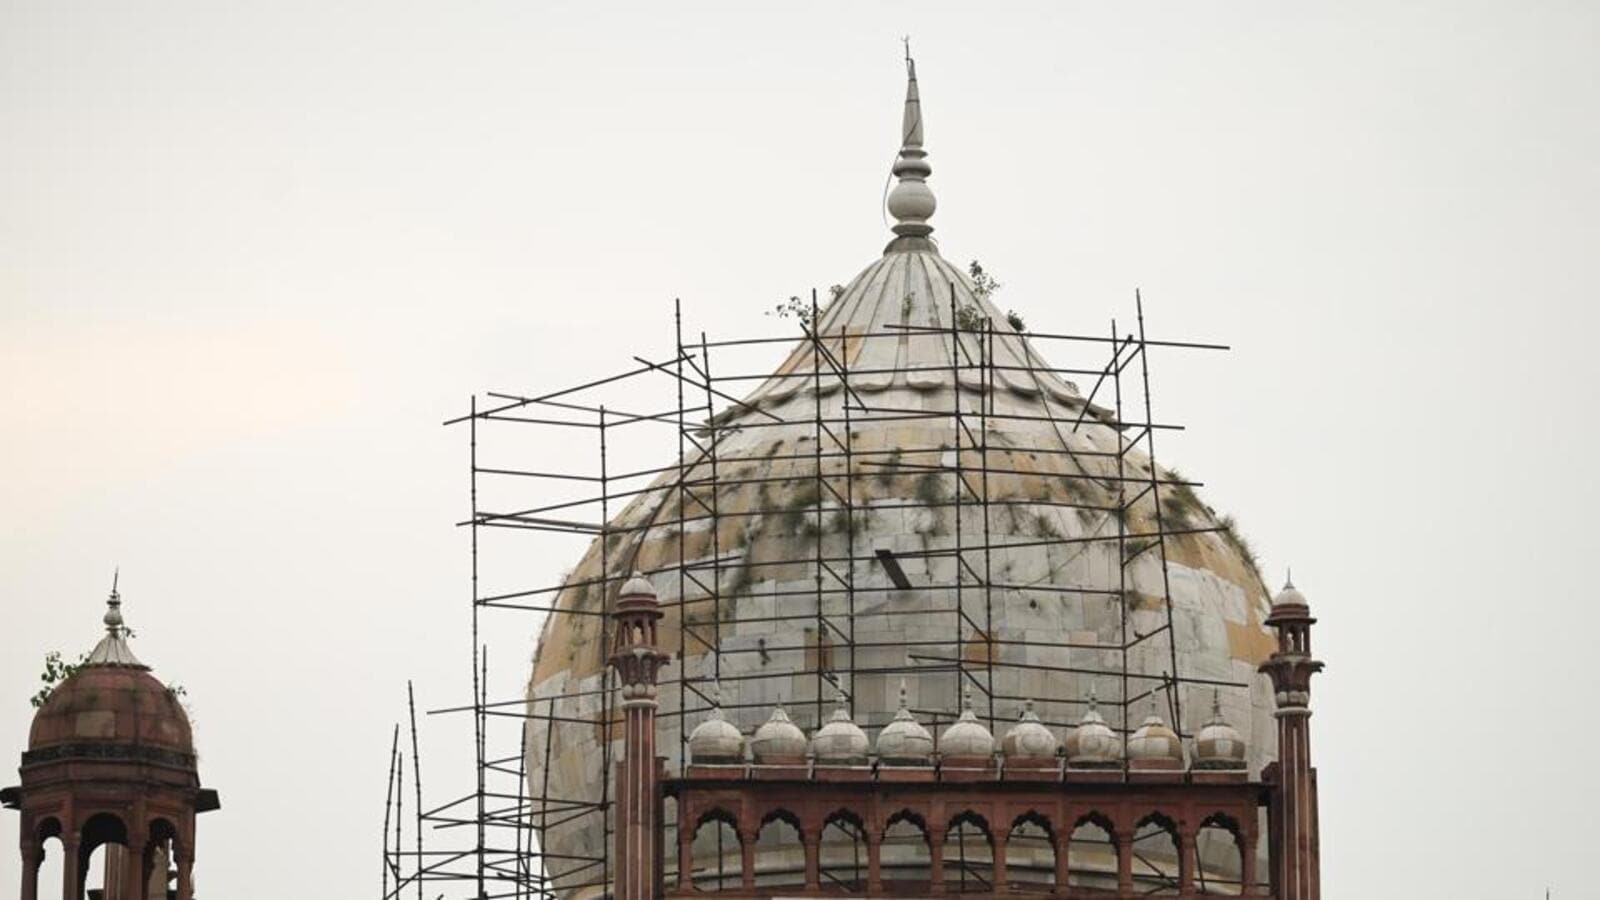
[{"x": 254, "y": 254}]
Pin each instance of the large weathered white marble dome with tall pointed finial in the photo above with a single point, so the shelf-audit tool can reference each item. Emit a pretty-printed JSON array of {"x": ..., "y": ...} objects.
[{"x": 1052, "y": 614}]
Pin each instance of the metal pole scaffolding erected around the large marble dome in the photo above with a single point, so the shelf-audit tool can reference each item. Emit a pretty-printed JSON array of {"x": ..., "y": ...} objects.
[{"x": 490, "y": 842}]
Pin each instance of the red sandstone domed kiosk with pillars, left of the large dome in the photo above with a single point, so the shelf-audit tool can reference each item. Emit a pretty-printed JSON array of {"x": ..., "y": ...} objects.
[{"x": 111, "y": 761}]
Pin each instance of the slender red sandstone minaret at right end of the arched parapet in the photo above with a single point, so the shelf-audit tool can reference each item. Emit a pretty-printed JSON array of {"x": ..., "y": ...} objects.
[{"x": 1295, "y": 816}]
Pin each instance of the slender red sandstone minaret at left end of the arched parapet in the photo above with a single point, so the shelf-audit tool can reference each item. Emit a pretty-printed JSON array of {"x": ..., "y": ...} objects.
[{"x": 638, "y": 661}]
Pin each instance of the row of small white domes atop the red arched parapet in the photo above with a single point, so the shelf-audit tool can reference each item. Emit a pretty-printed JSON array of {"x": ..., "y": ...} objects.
[{"x": 906, "y": 742}]
